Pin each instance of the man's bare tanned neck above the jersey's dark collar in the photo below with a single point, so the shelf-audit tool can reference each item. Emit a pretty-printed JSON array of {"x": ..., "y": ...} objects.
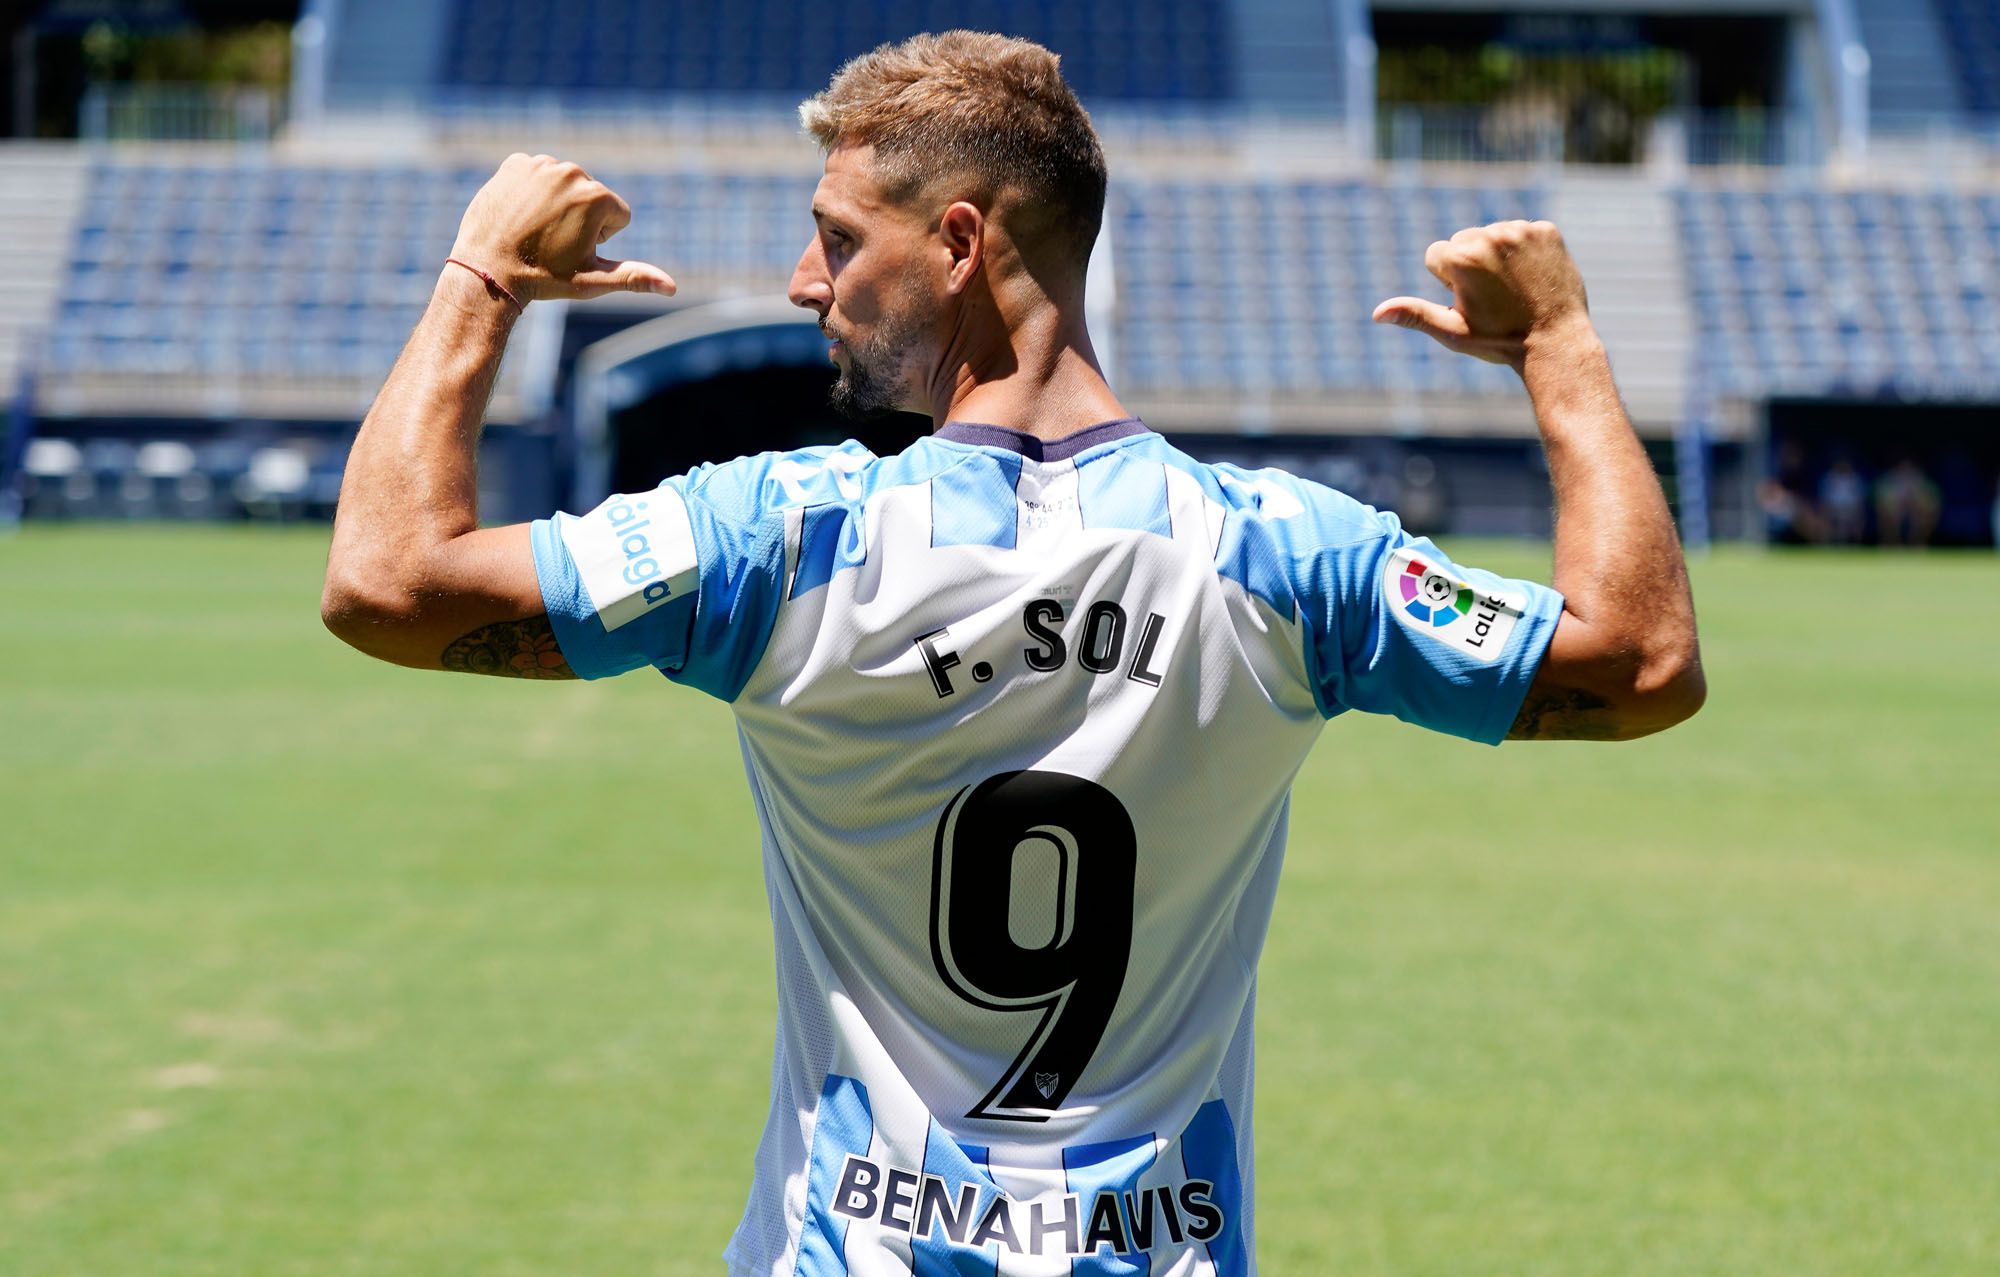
[{"x": 1039, "y": 379}]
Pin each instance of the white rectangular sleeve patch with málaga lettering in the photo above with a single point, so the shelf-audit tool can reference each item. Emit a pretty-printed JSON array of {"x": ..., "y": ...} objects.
[{"x": 633, "y": 553}]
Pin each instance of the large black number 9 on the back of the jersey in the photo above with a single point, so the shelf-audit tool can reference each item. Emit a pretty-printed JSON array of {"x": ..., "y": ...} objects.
[{"x": 1073, "y": 980}]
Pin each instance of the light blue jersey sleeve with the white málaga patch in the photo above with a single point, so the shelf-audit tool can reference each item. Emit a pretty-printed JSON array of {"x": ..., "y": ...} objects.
[{"x": 685, "y": 577}]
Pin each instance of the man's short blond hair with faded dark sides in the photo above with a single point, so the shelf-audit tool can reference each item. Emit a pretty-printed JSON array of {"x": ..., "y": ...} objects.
[{"x": 981, "y": 113}]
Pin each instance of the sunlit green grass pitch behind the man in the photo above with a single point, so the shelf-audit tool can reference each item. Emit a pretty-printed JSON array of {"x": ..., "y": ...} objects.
[{"x": 315, "y": 966}]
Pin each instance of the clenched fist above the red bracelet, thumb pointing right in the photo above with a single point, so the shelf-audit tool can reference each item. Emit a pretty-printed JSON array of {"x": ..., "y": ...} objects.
[{"x": 537, "y": 227}]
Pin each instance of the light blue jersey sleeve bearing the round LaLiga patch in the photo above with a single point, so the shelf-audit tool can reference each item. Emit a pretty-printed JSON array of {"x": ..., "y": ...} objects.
[{"x": 1395, "y": 627}]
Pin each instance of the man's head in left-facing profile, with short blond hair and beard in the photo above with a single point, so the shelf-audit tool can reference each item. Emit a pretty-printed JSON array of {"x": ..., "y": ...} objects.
[{"x": 963, "y": 189}]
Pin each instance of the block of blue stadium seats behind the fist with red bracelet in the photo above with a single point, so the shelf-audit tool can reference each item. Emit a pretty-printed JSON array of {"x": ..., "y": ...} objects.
[{"x": 255, "y": 271}]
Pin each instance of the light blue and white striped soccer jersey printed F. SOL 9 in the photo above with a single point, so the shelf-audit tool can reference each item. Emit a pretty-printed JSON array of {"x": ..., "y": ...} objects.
[{"x": 1021, "y": 726}]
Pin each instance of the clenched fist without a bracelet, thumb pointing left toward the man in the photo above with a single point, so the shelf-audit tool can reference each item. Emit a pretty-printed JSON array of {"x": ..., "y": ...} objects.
[{"x": 1509, "y": 281}]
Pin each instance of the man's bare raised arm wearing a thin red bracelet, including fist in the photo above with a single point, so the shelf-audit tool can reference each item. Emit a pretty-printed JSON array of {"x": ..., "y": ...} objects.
[{"x": 411, "y": 575}]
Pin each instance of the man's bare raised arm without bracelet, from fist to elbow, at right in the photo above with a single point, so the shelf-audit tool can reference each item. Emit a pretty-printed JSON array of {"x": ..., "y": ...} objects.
[{"x": 1625, "y": 658}]
